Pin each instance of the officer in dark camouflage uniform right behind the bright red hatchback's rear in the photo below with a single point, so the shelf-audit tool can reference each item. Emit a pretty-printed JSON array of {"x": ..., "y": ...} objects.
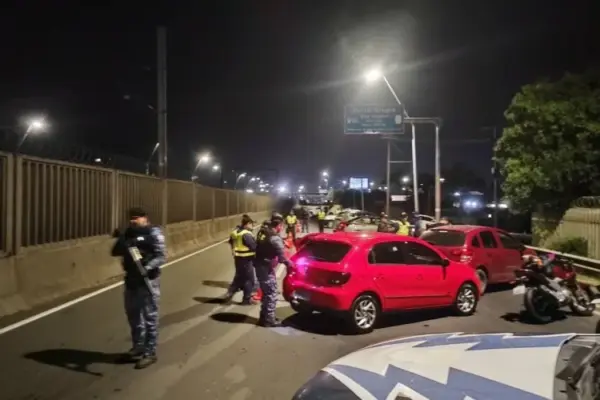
[{"x": 270, "y": 252}]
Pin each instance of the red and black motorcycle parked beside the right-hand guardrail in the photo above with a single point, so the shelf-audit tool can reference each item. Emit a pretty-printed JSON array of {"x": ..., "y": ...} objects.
[{"x": 548, "y": 284}]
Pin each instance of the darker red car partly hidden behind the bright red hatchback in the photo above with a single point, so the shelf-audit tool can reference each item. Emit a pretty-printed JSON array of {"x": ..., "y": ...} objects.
[{"x": 493, "y": 253}]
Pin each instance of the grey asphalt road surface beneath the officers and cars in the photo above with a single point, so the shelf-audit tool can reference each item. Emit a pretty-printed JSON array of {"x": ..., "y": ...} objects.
[{"x": 208, "y": 350}]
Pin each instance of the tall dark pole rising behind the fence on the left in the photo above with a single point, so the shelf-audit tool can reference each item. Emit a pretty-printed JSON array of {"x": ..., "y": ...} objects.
[{"x": 161, "y": 104}]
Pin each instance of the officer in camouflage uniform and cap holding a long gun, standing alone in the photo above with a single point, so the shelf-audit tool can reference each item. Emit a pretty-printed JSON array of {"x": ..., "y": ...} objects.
[{"x": 142, "y": 289}]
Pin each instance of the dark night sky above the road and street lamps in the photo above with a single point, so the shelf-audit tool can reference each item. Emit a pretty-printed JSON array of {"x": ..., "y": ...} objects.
[{"x": 263, "y": 83}]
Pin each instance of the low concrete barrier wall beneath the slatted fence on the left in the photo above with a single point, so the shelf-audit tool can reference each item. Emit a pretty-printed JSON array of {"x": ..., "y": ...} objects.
[{"x": 48, "y": 273}]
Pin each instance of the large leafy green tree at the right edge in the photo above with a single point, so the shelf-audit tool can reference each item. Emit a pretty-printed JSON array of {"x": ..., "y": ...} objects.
[{"x": 549, "y": 153}]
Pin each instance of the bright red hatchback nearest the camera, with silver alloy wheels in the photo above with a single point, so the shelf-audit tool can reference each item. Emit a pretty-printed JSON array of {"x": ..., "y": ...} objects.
[{"x": 362, "y": 274}]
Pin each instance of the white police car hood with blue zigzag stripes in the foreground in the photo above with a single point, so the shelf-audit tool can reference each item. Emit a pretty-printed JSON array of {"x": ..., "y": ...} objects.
[{"x": 453, "y": 366}]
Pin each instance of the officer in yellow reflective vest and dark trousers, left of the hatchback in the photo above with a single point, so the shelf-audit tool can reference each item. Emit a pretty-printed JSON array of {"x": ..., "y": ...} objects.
[{"x": 243, "y": 246}]
